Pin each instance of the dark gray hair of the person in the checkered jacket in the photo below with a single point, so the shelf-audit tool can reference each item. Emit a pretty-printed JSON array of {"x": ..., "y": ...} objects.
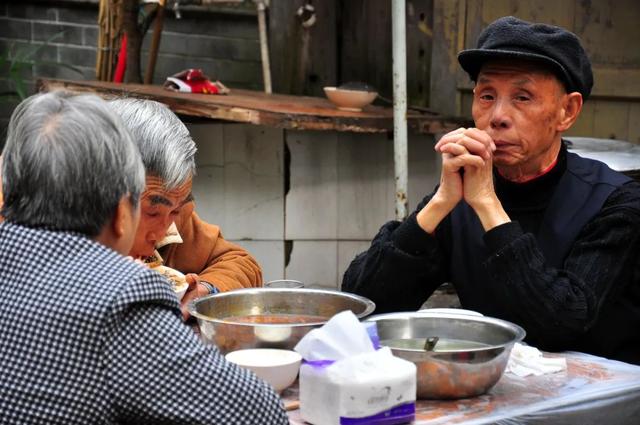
[{"x": 67, "y": 163}]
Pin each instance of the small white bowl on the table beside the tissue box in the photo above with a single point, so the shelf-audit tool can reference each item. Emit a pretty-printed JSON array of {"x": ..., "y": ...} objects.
[{"x": 278, "y": 367}]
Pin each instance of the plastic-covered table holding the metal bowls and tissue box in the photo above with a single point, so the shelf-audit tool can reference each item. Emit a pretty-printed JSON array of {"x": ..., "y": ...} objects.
[{"x": 593, "y": 390}]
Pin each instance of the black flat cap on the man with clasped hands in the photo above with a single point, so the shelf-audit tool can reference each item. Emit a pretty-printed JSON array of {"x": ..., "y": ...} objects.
[{"x": 510, "y": 37}]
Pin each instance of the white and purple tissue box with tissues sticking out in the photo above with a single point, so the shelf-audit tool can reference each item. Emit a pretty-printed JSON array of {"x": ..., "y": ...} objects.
[{"x": 345, "y": 381}]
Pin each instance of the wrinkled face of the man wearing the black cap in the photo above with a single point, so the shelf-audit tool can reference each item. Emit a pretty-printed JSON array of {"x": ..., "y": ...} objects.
[{"x": 520, "y": 106}]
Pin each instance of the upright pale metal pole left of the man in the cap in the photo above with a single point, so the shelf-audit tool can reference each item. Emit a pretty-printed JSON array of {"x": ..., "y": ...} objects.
[{"x": 400, "y": 150}]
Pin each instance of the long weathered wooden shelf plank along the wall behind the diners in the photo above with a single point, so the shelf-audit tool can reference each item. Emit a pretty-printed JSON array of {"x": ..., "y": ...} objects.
[{"x": 281, "y": 111}]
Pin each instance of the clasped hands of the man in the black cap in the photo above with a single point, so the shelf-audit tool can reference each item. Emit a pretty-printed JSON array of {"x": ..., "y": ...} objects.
[{"x": 467, "y": 173}]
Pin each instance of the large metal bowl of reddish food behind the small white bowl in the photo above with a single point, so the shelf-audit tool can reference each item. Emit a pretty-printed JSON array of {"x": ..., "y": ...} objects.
[{"x": 216, "y": 315}]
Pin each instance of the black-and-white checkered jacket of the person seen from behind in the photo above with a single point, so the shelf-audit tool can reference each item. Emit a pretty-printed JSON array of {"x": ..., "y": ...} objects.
[{"x": 88, "y": 336}]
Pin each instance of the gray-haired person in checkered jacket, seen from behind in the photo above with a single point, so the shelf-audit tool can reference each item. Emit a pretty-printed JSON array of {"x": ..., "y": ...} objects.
[{"x": 86, "y": 334}]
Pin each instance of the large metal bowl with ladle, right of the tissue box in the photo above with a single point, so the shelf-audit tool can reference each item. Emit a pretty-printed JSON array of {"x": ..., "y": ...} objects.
[{"x": 467, "y": 367}]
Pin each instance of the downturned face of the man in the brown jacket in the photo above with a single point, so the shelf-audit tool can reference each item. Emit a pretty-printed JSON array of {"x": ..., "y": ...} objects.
[{"x": 158, "y": 209}]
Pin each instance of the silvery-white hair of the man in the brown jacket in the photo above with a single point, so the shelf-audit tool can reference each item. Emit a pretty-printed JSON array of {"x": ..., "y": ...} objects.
[{"x": 166, "y": 147}]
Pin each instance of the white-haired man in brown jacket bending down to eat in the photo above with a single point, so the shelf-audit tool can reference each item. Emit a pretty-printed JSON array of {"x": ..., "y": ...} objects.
[{"x": 169, "y": 229}]
